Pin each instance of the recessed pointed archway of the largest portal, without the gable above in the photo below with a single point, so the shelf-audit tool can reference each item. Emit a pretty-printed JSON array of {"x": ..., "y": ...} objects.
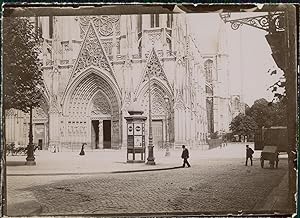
[{"x": 92, "y": 109}]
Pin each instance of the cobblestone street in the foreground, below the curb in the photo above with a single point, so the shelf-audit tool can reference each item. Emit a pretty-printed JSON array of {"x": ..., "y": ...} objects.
[{"x": 210, "y": 186}]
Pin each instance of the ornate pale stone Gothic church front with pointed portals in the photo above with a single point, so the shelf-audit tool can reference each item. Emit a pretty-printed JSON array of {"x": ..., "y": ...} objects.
[{"x": 96, "y": 67}]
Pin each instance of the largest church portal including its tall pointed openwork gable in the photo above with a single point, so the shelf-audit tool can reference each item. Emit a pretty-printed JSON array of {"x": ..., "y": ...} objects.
[{"x": 92, "y": 100}]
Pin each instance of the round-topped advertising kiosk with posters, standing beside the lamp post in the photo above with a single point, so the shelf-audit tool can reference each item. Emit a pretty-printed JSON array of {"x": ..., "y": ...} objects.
[{"x": 135, "y": 135}]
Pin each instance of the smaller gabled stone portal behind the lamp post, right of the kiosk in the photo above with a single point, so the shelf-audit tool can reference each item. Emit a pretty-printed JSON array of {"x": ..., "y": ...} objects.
[{"x": 162, "y": 112}]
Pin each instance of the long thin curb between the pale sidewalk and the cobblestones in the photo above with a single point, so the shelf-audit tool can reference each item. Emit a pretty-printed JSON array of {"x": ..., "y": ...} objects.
[{"x": 93, "y": 173}]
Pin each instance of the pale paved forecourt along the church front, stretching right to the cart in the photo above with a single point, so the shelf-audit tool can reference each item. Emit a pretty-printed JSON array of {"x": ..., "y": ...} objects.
[{"x": 112, "y": 161}]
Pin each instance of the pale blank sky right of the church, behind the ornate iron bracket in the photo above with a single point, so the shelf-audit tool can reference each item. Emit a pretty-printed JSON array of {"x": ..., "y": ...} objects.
[{"x": 249, "y": 53}]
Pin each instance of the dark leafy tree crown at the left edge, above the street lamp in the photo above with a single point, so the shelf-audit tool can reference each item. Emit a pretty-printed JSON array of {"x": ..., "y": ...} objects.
[{"x": 22, "y": 75}]
